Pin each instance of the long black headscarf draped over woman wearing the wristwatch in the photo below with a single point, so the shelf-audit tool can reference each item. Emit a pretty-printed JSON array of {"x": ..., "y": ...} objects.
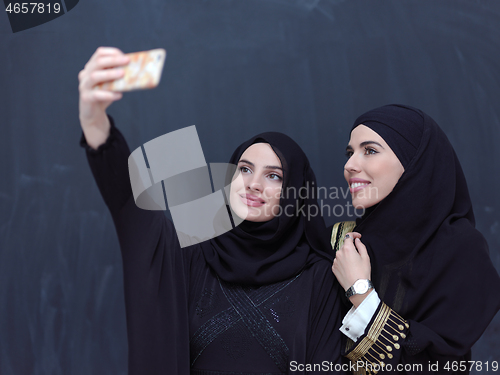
[{"x": 429, "y": 263}]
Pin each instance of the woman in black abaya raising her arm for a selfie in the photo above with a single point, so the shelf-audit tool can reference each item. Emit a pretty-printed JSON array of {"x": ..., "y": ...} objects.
[{"x": 260, "y": 299}]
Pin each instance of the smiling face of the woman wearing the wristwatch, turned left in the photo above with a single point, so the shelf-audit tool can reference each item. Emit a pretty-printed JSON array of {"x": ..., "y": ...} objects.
[{"x": 372, "y": 170}]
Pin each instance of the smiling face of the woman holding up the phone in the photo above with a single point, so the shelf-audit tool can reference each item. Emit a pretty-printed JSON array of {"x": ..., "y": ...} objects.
[{"x": 256, "y": 188}]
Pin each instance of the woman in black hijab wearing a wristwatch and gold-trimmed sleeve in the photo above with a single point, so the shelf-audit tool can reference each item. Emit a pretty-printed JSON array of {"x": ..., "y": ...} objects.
[{"x": 430, "y": 267}]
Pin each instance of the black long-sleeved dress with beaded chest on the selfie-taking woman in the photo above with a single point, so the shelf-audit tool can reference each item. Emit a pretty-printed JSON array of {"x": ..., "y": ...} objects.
[{"x": 181, "y": 318}]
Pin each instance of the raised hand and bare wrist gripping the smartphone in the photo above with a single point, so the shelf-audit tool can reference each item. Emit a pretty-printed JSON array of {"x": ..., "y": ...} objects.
[{"x": 104, "y": 65}]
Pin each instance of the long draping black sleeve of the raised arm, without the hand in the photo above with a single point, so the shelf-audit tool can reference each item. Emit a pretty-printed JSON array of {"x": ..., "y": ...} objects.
[{"x": 155, "y": 269}]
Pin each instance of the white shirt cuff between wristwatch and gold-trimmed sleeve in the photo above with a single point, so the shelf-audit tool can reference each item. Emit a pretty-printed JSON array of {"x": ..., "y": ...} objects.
[{"x": 357, "y": 319}]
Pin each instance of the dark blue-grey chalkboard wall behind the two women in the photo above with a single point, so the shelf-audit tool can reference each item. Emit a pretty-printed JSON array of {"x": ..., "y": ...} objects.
[{"x": 234, "y": 68}]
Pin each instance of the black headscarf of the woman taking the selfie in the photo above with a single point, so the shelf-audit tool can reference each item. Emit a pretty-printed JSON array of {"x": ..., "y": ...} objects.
[{"x": 267, "y": 252}]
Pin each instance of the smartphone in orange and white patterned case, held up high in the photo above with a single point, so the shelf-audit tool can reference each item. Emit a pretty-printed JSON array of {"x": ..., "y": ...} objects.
[{"x": 142, "y": 72}]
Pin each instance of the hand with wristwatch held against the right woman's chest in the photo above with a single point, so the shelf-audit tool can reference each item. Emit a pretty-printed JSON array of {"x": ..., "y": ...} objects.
[{"x": 352, "y": 263}]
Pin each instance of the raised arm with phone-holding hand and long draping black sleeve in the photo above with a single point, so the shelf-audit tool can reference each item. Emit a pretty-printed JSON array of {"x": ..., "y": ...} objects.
[{"x": 154, "y": 268}]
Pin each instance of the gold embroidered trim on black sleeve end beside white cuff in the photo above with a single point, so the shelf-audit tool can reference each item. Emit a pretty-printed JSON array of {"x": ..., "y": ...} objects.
[{"x": 381, "y": 340}]
